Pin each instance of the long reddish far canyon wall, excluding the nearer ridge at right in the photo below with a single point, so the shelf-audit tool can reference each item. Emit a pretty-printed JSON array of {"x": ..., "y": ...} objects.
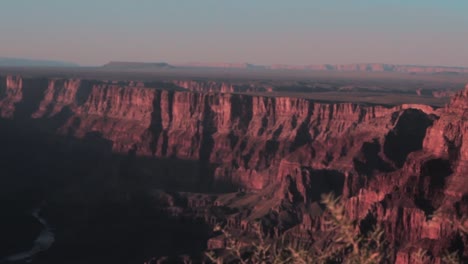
[{"x": 247, "y": 140}]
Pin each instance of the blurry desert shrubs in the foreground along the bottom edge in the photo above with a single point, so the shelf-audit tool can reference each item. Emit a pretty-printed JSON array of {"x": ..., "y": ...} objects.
[{"x": 347, "y": 242}]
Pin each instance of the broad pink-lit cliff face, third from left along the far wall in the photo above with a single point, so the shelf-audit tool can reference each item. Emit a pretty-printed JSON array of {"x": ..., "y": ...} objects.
[{"x": 120, "y": 114}]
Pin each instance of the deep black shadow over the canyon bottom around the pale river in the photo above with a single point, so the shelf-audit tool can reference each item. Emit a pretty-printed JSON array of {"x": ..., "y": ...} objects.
[{"x": 95, "y": 198}]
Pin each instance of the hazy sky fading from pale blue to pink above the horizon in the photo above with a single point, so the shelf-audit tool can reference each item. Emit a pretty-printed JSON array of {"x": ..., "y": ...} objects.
[{"x": 262, "y": 31}]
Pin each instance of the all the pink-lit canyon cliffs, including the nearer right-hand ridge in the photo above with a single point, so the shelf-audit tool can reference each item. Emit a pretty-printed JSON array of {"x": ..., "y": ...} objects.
[{"x": 397, "y": 164}]
